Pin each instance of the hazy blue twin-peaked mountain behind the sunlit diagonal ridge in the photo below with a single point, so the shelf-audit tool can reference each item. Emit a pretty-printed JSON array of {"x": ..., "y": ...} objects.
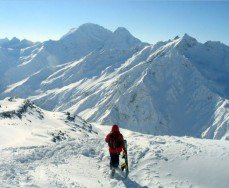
[{"x": 74, "y": 45}]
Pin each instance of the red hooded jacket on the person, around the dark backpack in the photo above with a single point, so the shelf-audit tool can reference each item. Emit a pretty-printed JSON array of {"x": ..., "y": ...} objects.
[{"x": 119, "y": 136}]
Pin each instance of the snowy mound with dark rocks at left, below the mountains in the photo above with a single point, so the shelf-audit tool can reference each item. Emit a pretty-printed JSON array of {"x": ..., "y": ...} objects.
[{"x": 24, "y": 124}]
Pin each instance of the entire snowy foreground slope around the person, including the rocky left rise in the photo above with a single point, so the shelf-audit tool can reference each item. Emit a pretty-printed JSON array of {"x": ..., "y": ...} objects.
[{"x": 29, "y": 157}]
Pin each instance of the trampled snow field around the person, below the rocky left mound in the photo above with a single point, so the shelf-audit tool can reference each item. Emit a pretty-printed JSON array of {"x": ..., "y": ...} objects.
[{"x": 160, "y": 161}]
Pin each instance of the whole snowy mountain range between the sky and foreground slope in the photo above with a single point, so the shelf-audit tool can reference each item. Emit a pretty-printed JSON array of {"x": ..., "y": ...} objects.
[{"x": 178, "y": 87}]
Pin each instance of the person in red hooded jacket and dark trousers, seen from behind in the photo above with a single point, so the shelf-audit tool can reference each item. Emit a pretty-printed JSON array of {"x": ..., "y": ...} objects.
[{"x": 116, "y": 146}]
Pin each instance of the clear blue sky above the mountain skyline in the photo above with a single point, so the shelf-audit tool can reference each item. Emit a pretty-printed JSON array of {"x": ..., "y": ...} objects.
[{"x": 150, "y": 21}]
